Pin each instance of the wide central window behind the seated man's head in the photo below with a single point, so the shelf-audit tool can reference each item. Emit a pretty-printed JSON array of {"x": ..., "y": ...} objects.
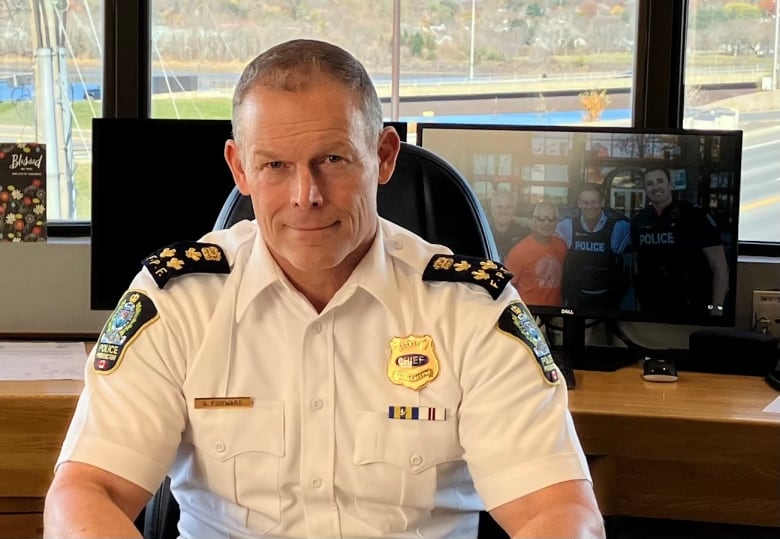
[{"x": 517, "y": 56}]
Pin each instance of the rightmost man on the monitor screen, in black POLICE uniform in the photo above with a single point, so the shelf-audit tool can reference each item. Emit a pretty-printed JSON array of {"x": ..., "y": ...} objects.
[{"x": 680, "y": 263}]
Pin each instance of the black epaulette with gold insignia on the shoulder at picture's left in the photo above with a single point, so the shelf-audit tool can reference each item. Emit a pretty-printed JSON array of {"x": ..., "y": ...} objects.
[{"x": 185, "y": 257}]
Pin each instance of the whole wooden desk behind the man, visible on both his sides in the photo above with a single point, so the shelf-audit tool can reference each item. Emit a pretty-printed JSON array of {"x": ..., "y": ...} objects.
[{"x": 697, "y": 449}]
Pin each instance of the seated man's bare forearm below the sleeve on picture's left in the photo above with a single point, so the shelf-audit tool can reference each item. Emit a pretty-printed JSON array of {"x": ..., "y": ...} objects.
[{"x": 85, "y": 512}]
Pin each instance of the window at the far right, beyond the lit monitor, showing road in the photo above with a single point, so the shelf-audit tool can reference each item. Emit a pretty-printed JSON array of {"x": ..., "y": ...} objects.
[{"x": 731, "y": 82}]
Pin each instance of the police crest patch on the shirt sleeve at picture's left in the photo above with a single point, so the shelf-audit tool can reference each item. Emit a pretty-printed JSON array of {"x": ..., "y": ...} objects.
[{"x": 134, "y": 312}]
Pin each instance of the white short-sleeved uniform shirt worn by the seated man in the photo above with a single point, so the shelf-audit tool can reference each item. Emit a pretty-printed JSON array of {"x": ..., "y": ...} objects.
[{"x": 295, "y": 436}]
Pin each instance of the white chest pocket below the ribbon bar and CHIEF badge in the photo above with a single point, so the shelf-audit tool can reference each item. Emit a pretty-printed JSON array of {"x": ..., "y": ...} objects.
[{"x": 397, "y": 465}]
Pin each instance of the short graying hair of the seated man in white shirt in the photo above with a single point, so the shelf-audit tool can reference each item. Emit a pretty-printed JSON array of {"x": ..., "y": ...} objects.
[{"x": 290, "y": 66}]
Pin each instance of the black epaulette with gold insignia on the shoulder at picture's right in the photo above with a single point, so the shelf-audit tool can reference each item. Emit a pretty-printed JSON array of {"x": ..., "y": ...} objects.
[{"x": 490, "y": 275}]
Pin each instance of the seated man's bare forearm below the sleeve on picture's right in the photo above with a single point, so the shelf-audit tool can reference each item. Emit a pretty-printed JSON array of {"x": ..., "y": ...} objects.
[{"x": 568, "y": 509}]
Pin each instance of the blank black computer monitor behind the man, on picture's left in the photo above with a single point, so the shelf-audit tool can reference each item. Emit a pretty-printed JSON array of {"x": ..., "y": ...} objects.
[{"x": 154, "y": 181}]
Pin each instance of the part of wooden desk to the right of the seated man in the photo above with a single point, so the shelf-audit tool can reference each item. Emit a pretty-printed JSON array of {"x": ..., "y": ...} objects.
[{"x": 696, "y": 449}]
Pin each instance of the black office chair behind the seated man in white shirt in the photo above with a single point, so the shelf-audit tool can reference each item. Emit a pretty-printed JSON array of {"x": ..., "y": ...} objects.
[{"x": 428, "y": 196}]
